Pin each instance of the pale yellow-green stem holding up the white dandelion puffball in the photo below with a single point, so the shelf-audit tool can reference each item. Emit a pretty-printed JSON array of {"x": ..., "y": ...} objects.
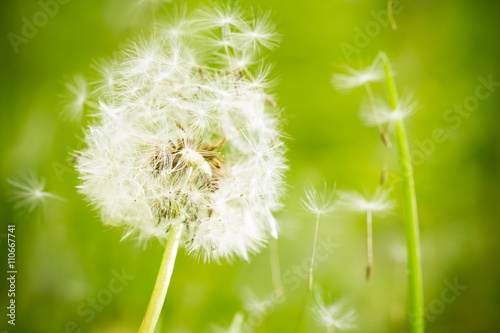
[{"x": 162, "y": 281}]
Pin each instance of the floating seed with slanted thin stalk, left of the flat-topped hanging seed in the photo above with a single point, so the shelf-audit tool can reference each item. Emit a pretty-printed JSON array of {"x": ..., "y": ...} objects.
[{"x": 318, "y": 203}]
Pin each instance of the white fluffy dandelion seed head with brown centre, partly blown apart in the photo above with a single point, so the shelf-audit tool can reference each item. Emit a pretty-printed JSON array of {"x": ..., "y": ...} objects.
[{"x": 185, "y": 134}]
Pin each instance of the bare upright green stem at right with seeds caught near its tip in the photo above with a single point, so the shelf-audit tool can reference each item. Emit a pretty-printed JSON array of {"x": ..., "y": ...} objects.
[{"x": 410, "y": 206}]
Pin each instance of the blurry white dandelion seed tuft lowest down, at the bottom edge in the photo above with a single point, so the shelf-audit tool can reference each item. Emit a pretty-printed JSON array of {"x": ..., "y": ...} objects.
[{"x": 332, "y": 315}]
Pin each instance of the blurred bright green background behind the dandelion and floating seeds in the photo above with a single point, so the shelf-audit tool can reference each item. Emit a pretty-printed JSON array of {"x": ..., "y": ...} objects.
[{"x": 67, "y": 257}]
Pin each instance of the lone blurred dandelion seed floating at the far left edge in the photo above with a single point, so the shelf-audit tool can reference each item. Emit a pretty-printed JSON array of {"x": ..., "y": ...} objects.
[{"x": 28, "y": 192}]
